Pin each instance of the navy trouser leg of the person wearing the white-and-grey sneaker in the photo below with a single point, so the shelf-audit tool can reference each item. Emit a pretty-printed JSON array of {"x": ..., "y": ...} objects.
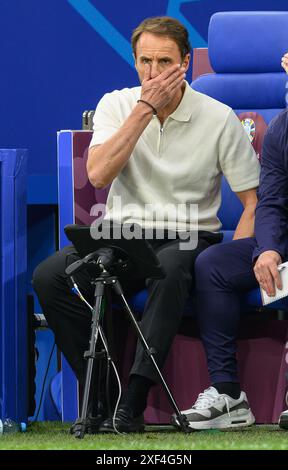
[{"x": 223, "y": 273}]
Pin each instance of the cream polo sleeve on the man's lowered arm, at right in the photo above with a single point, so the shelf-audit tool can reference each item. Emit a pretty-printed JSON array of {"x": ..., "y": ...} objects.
[{"x": 237, "y": 157}]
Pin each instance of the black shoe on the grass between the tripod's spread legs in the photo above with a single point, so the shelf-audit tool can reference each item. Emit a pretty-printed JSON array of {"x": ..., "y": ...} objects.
[{"x": 124, "y": 422}]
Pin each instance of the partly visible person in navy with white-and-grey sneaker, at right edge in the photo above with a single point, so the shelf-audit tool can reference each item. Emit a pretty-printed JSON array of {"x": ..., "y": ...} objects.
[{"x": 225, "y": 271}]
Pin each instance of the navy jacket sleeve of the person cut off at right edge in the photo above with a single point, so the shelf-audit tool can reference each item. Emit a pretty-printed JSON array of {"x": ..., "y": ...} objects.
[{"x": 271, "y": 223}]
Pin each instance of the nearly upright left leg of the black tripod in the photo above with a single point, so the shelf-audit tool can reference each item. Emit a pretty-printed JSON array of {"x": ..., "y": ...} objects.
[{"x": 81, "y": 423}]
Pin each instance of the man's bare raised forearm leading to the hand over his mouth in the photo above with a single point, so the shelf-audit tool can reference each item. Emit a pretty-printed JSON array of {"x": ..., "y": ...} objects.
[{"x": 107, "y": 160}]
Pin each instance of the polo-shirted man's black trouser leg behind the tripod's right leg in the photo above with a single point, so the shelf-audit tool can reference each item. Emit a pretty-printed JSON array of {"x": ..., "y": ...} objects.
[{"x": 165, "y": 304}]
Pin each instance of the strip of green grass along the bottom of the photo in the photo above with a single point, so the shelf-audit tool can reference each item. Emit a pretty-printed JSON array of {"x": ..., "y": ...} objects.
[{"x": 55, "y": 436}]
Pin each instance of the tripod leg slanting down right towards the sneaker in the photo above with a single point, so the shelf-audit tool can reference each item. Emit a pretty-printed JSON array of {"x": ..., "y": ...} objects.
[{"x": 182, "y": 419}]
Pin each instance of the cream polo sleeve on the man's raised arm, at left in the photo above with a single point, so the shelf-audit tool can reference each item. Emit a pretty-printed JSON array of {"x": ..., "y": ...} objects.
[{"x": 106, "y": 120}]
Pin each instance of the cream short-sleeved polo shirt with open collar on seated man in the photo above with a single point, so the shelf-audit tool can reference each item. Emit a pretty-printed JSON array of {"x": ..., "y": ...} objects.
[{"x": 178, "y": 166}]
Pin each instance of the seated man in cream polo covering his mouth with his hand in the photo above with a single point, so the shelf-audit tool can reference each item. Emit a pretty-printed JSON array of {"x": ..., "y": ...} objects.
[{"x": 160, "y": 145}]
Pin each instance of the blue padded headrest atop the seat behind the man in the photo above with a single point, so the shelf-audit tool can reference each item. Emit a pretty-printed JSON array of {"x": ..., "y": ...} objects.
[{"x": 247, "y": 41}]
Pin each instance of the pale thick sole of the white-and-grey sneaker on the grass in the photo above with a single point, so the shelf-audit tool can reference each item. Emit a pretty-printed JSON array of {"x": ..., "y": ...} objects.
[{"x": 235, "y": 420}]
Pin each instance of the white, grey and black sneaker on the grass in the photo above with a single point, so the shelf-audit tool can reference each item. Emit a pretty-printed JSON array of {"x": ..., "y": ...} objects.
[{"x": 218, "y": 411}]
